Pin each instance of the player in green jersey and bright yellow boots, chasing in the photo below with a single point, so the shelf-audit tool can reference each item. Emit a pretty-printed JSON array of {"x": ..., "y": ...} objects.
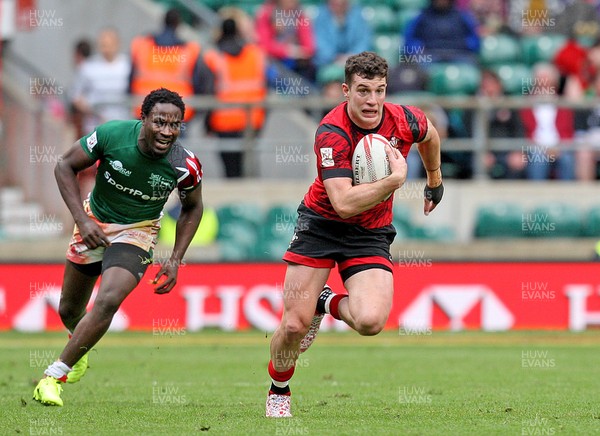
[{"x": 140, "y": 162}]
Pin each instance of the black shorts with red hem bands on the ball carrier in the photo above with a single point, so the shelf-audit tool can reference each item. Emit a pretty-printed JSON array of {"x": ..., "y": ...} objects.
[{"x": 319, "y": 242}]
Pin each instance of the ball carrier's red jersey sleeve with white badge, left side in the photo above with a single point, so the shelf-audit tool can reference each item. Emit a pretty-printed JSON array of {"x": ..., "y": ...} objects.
[{"x": 333, "y": 150}]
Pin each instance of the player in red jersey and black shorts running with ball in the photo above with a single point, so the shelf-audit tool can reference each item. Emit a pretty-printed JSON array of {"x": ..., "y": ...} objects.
[{"x": 348, "y": 225}]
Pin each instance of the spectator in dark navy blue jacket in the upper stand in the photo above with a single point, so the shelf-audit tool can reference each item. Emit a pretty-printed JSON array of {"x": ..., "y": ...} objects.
[{"x": 443, "y": 33}]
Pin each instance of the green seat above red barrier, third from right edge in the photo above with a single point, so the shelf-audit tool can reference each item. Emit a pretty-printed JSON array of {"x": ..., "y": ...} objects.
[{"x": 499, "y": 220}]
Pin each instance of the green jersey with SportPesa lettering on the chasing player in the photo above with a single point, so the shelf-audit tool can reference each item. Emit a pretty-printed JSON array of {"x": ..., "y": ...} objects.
[{"x": 130, "y": 185}]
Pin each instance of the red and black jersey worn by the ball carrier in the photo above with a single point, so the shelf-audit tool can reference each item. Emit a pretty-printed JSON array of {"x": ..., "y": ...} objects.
[{"x": 335, "y": 141}]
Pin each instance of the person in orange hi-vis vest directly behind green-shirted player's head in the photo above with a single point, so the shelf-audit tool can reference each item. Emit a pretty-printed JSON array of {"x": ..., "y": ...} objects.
[{"x": 165, "y": 60}]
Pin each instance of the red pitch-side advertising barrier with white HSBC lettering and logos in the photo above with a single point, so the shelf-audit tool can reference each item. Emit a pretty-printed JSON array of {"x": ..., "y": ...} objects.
[{"x": 428, "y": 296}]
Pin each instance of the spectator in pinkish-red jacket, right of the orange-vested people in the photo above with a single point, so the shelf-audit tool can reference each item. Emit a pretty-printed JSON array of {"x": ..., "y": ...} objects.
[{"x": 285, "y": 33}]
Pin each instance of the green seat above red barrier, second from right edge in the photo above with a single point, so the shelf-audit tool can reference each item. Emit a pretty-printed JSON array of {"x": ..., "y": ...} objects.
[{"x": 553, "y": 220}]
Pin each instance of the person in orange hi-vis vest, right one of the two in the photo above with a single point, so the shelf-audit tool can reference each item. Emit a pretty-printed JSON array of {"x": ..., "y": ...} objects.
[{"x": 236, "y": 73}]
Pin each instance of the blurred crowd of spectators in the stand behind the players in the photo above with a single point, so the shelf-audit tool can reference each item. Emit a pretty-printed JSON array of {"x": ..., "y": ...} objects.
[{"x": 298, "y": 48}]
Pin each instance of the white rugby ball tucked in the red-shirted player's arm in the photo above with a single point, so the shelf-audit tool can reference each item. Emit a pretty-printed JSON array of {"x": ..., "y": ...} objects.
[{"x": 370, "y": 163}]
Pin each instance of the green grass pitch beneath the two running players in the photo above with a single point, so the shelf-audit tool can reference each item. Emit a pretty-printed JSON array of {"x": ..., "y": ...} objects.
[{"x": 471, "y": 383}]
